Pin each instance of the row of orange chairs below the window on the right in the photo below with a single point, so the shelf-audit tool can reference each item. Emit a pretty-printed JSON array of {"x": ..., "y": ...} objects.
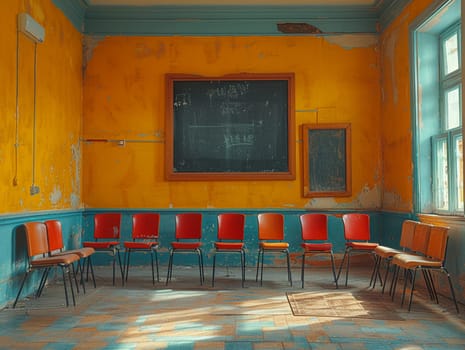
[{"x": 422, "y": 248}]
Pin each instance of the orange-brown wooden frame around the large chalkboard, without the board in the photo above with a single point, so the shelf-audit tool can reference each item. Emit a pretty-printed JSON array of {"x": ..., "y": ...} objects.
[{"x": 172, "y": 174}]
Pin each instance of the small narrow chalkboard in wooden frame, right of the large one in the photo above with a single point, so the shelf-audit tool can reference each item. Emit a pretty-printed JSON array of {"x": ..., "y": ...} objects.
[{"x": 334, "y": 134}]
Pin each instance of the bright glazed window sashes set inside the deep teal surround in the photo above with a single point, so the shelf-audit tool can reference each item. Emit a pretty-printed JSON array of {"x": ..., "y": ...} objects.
[{"x": 447, "y": 146}]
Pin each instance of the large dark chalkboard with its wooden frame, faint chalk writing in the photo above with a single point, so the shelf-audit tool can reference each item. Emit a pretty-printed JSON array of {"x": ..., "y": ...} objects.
[{"x": 231, "y": 127}]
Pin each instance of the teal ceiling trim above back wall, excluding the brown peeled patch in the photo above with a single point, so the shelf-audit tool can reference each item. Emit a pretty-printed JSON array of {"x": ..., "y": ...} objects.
[{"x": 225, "y": 20}]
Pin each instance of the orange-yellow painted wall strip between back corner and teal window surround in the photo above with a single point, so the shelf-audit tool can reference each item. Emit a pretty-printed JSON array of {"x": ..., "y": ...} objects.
[{"x": 396, "y": 110}]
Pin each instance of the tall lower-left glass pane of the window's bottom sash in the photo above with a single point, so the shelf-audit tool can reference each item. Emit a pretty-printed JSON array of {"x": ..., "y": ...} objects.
[{"x": 442, "y": 179}]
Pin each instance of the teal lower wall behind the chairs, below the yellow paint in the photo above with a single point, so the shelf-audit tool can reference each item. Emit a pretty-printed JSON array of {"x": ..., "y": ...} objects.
[{"x": 78, "y": 227}]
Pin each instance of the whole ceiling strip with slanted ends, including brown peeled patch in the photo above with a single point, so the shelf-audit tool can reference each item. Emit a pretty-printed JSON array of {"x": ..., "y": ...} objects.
[{"x": 230, "y": 17}]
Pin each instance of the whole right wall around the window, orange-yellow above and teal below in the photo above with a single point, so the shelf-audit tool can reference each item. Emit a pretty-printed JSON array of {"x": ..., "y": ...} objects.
[{"x": 397, "y": 138}]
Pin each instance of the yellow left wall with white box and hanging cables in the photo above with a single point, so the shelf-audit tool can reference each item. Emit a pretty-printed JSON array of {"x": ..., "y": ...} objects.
[{"x": 58, "y": 111}]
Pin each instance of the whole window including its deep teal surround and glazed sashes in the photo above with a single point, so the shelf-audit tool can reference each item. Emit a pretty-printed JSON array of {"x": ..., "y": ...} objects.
[{"x": 437, "y": 109}]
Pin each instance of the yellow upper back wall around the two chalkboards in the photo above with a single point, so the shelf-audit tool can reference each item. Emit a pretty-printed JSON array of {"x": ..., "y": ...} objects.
[{"x": 338, "y": 77}]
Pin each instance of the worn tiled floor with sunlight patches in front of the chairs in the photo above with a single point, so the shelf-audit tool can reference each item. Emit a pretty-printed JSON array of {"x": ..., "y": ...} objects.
[{"x": 185, "y": 315}]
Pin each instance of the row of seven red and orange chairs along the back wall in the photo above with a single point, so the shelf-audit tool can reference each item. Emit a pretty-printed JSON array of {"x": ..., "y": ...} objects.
[{"x": 230, "y": 234}]
